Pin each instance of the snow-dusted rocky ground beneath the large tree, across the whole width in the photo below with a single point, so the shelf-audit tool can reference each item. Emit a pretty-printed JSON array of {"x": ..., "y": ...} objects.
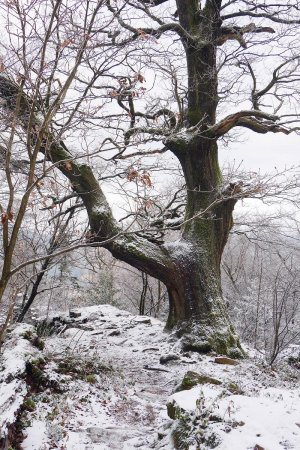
[{"x": 103, "y": 383}]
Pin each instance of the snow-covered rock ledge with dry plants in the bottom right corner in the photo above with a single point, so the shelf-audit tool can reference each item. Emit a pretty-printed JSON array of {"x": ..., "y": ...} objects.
[{"x": 241, "y": 422}]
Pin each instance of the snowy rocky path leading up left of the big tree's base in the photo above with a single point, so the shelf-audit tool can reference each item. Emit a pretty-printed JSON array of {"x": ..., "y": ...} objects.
[{"x": 125, "y": 408}]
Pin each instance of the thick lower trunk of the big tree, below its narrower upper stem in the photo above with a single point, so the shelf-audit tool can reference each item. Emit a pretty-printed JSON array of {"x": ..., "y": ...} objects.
[{"x": 197, "y": 309}]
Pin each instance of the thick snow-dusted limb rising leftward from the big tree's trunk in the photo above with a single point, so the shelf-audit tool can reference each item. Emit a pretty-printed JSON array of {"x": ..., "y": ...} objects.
[{"x": 134, "y": 250}]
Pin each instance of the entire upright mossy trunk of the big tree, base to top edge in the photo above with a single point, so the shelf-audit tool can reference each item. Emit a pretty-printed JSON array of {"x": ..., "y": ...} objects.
[{"x": 197, "y": 309}]
